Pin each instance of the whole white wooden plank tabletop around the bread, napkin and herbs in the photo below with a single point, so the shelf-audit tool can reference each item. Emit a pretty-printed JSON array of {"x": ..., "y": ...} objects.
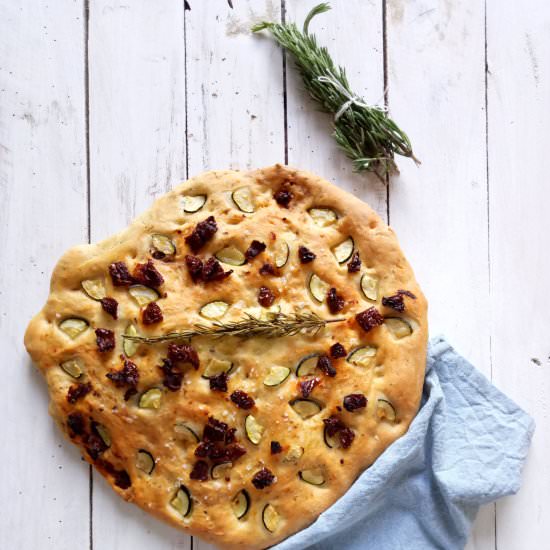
[{"x": 105, "y": 104}]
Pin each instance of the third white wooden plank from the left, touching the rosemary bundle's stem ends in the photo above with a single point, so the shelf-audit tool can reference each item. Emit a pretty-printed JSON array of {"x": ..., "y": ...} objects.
[{"x": 235, "y": 92}]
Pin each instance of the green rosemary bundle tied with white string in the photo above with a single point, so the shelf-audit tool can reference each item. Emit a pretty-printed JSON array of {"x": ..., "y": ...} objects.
[{"x": 366, "y": 134}]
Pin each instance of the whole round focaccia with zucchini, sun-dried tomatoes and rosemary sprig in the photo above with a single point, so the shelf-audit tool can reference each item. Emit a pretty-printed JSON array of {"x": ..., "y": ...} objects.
[{"x": 242, "y": 438}]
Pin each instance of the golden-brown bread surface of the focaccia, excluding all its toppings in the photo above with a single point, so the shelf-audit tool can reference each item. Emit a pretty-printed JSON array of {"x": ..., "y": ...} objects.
[{"x": 397, "y": 374}]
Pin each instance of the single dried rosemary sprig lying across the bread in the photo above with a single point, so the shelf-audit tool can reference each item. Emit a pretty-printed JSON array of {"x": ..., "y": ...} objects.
[{"x": 276, "y": 326}]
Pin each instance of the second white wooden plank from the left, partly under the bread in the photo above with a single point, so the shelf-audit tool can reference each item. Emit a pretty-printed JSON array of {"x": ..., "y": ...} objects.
[{"x": 137, "y": 151}]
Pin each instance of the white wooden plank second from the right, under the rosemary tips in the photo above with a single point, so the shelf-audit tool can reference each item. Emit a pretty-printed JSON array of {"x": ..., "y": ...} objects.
[{"x": 436, "y": 80}]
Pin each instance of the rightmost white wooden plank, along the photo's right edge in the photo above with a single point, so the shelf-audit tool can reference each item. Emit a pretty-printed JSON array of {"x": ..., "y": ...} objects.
[{"x": 519, "y": 117}]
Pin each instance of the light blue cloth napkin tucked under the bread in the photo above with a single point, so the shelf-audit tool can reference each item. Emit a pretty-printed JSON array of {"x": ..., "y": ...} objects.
[{"x": 466, "y": 447}]
